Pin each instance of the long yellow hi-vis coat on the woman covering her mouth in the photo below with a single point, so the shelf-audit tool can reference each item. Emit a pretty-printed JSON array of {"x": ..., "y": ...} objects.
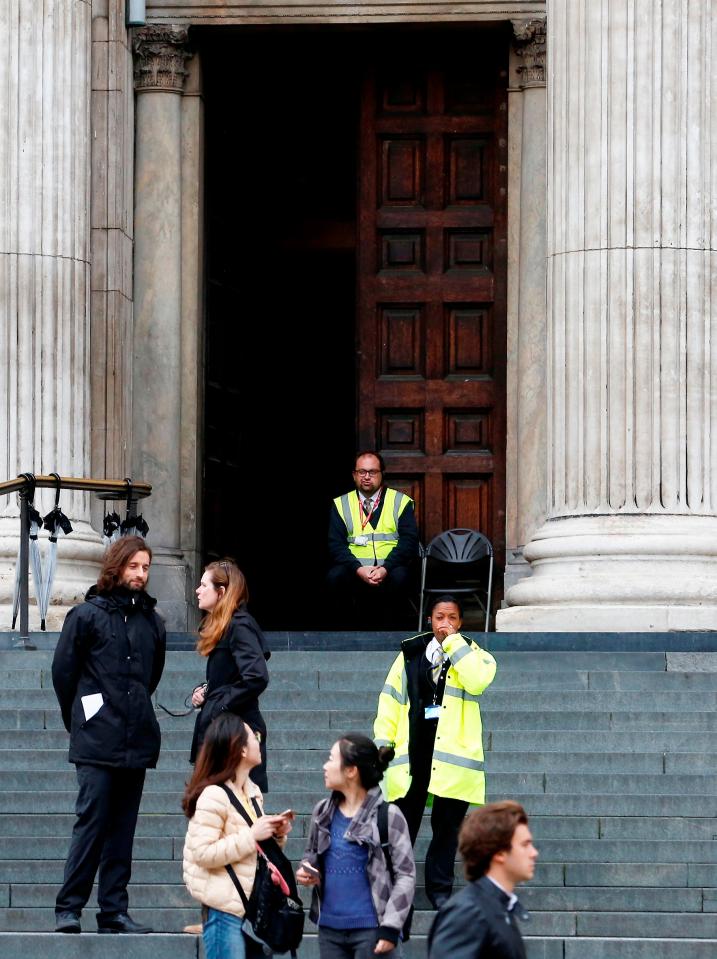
[{"x": 457, "y": 766}]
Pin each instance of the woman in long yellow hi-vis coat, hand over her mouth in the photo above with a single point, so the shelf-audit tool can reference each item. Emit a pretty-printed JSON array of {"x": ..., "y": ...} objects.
[{"x": 428, "y": 709}]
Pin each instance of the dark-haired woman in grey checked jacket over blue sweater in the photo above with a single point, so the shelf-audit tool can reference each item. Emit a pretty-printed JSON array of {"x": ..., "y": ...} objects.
[{"x": 360, "y": 904}]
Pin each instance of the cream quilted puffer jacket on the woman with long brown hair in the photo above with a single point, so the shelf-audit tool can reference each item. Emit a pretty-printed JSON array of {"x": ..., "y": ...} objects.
[{"x": 218, "y": 835}]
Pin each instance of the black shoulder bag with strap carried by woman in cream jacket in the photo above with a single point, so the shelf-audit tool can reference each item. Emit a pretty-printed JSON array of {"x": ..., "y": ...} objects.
[{"x": 272, "y": 917}]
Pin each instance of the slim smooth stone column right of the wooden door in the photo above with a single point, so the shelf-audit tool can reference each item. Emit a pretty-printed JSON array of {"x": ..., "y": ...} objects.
[{"x": 526, "y": 499}]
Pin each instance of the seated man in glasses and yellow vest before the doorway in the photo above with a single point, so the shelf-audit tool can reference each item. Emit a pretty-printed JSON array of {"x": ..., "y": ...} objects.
[{"x": 373, "y": 543}]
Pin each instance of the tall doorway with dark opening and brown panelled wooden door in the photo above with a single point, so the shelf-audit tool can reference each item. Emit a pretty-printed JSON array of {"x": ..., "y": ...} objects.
[{"x": 356, "y": 197}]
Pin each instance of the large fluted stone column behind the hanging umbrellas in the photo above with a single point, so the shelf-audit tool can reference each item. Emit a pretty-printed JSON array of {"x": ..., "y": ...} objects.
[{"x": 44, "y": 278}]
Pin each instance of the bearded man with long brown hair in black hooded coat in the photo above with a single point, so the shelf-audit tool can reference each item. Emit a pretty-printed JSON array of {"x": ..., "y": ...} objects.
[{"x": 108, "y": 662}]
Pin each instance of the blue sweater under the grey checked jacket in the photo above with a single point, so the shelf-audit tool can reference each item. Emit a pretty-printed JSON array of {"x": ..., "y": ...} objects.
[{"x": 346, "y": 902}]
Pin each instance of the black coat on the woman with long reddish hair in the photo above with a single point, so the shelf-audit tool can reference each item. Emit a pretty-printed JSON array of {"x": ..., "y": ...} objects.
[{"x": 236, "y": 676}]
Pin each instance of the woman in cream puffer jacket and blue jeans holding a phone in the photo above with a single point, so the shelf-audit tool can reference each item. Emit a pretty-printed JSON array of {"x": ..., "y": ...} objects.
[{"x": 218, "y": 835}]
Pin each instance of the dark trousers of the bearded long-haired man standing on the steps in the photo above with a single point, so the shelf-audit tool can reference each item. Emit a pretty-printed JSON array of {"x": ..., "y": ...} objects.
[{"x": 102, "y": 838}]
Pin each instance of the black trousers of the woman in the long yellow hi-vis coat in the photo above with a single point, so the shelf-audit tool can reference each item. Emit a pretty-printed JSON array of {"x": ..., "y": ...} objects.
[{"x": 446, "y": 818}]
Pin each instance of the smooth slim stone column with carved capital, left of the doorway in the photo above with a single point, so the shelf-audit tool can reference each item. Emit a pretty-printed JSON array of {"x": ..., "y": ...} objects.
[{"x": 160, "y": 71}]
